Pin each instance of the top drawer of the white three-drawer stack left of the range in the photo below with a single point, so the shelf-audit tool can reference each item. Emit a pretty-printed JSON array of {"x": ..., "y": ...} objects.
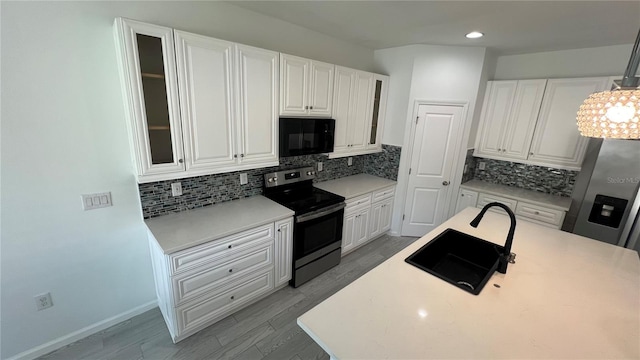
[{"x": 218, "y": 250}]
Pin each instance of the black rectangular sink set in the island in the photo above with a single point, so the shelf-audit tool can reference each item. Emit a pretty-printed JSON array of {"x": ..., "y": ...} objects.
[{"x": 460, "y": 259}]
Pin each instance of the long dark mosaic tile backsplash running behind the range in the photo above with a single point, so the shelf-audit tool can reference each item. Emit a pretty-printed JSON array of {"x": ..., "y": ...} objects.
[{"x": 207, "y": 190}]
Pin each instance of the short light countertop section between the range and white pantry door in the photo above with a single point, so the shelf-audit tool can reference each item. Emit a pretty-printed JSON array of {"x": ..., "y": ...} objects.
[{"x": 355, "y": 185}]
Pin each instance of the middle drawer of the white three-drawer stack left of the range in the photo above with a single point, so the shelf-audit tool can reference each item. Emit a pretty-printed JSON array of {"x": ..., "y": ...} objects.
[{"x": 201, "y": 280}]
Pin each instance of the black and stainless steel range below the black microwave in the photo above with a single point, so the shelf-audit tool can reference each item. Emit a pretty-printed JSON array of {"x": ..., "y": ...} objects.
[{"x": 317, "y": 230}]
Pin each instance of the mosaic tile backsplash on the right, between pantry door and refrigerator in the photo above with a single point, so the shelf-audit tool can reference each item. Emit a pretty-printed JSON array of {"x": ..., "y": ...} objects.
[{"x": 538, "y": 178}]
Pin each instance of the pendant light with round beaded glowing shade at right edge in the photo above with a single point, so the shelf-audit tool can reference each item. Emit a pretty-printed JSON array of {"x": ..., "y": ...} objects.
[{"x": 614, "y": 114}]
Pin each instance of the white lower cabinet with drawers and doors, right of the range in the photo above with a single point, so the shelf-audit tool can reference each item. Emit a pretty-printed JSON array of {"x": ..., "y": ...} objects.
[{"x": 365, "y": 220}]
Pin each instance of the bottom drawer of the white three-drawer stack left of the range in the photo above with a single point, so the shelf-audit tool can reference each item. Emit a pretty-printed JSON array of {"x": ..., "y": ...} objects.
[{"x": 203, "y": 312}]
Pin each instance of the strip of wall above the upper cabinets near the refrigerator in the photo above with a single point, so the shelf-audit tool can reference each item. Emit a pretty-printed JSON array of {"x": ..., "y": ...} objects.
[{"x": 600, "y": 61}]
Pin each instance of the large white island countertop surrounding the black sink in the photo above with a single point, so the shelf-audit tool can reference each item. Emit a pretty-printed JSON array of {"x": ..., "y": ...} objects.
[{"x": 566, "y": 297}]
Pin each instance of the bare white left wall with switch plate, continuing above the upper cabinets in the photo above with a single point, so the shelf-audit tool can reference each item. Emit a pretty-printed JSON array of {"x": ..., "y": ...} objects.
[{"x": 64, "y": 134}]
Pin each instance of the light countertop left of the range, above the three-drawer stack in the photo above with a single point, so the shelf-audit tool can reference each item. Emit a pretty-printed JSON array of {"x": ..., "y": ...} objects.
[{"x": 183, "y": 230}]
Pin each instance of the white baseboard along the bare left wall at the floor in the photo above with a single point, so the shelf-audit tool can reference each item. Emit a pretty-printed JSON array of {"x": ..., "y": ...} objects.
[{"x": 82, "y": 333}]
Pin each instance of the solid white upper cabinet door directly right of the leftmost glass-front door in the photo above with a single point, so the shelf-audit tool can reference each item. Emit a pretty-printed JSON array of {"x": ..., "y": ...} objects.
[{"x": 205, "y": 73}]
